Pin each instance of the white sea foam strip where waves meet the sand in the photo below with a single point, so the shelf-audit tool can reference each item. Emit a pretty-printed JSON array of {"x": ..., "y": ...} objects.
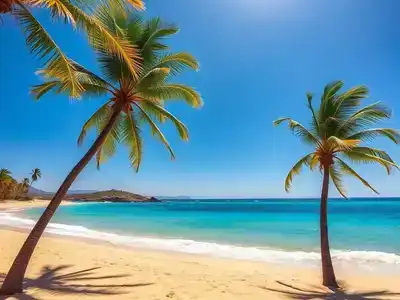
[{"x": 370, "y": 259}]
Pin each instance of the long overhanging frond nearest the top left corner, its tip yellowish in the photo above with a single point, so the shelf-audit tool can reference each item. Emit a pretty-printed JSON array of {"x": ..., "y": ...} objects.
[{"x": 58, "y": 65}]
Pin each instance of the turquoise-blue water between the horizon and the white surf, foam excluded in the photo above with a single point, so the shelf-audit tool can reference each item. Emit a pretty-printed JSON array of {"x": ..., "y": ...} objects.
[{"x": 288, "y": 224}]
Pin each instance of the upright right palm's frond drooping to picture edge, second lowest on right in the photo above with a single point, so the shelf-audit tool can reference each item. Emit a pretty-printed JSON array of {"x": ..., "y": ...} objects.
[{"x": 371, "y": 155}]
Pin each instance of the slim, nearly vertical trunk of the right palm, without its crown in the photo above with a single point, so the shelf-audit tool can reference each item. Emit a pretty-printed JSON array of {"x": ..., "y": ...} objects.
[{"x": 328, "y": 273}]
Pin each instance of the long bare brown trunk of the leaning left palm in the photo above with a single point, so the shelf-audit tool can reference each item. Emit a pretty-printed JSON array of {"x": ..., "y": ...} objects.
[{"x": 13, "y": 282}]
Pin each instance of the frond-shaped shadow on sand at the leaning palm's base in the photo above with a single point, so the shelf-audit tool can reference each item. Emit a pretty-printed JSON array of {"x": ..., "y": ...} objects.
[{"x": 55, "y": 280}]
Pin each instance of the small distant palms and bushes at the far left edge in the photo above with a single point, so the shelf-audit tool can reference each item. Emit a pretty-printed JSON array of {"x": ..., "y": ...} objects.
[{"x": 10, "y": 188}]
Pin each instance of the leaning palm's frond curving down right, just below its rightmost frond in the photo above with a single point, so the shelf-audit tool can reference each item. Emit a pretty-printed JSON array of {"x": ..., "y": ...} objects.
[{"x": 160, "y": 113}]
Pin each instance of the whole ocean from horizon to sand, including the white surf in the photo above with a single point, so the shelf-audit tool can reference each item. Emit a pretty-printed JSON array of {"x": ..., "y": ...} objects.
[{"x": 364, "y": 233}]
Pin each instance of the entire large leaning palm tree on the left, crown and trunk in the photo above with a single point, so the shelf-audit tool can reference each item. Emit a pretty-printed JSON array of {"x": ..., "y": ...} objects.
[{"x": 132, "y": 102}]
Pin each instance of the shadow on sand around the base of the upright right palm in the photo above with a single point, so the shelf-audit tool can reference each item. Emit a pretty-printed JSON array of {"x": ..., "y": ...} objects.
[{"x": 316, "y": 292}]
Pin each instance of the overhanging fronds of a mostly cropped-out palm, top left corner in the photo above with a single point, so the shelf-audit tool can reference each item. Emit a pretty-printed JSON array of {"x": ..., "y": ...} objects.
[{"x": 76, "y": 13}]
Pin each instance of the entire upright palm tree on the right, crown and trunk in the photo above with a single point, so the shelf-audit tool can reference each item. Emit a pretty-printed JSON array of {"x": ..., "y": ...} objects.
[{"x": 338, "y": 129}]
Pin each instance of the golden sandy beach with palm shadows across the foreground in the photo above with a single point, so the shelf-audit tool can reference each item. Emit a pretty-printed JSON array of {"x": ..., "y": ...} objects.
[{"x": 66, "y": 268}]
